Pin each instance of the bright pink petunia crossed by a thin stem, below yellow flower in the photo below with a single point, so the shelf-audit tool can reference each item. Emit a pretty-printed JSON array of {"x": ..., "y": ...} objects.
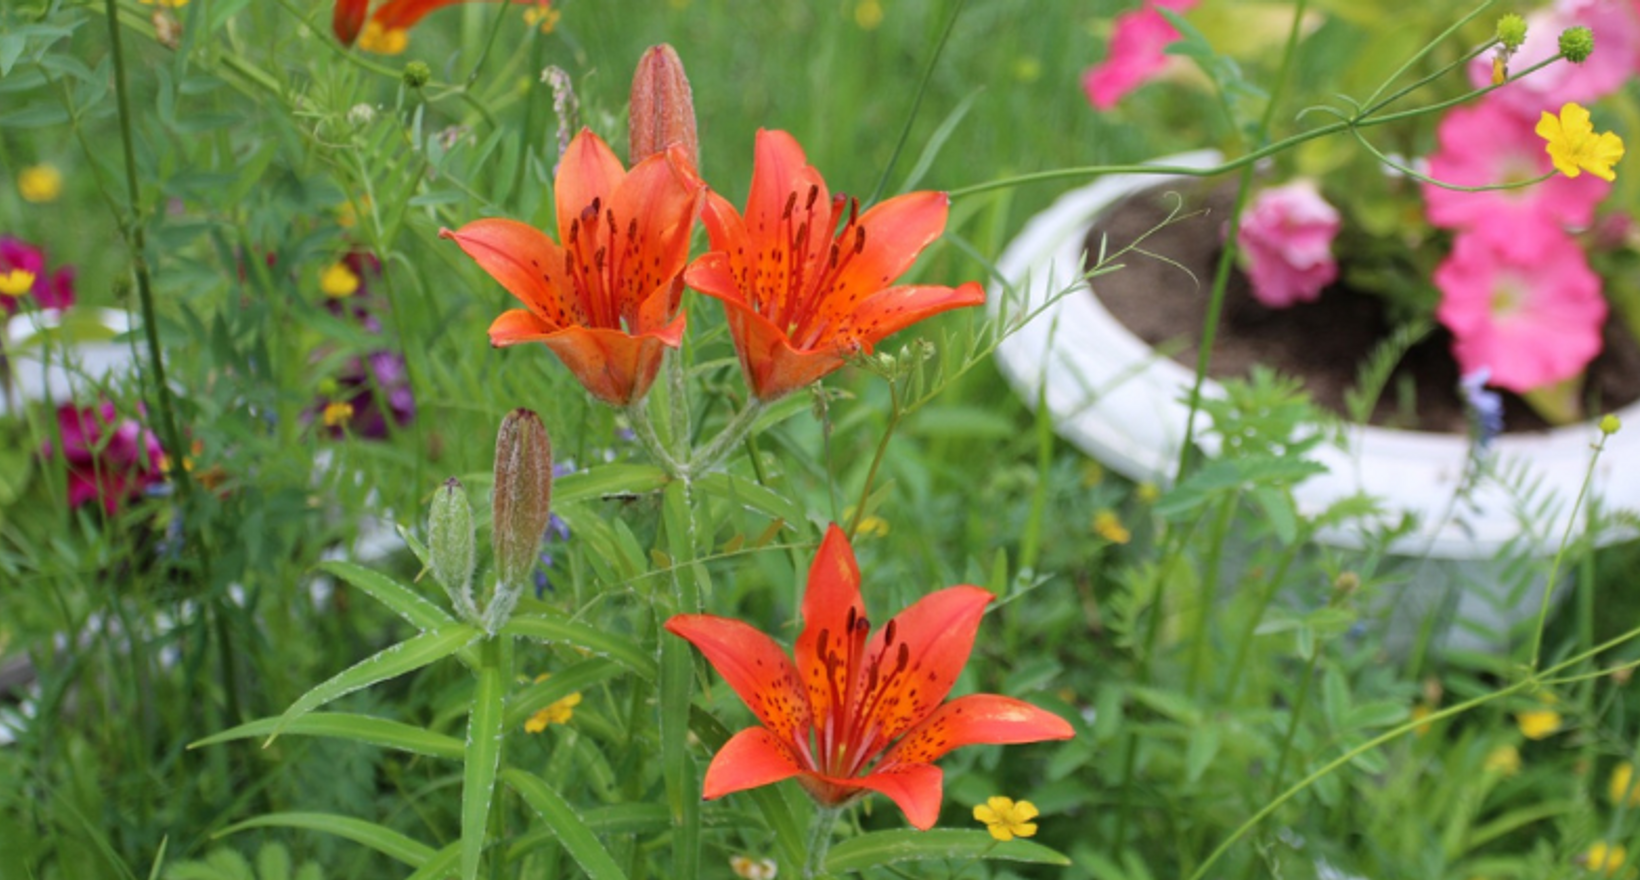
[{"x": 1487, "y": 143}]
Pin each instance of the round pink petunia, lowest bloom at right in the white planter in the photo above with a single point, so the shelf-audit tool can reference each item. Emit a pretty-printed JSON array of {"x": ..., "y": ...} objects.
[{"x": 1531, "y": 315}]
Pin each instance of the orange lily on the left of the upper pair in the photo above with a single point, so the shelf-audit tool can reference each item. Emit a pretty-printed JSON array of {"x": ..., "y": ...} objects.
[{"x": 606, "y": 302}]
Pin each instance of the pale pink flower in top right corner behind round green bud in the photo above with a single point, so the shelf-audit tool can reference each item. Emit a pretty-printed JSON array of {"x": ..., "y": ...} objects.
[{"x": 1616, "y": 27}]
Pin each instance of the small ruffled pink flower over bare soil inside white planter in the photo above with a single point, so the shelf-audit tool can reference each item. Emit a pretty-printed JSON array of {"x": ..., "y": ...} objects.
[{"x": 1287, "y": 245}]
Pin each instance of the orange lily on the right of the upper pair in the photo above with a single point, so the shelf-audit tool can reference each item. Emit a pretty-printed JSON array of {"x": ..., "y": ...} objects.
[{"x": 806, "y": 278}]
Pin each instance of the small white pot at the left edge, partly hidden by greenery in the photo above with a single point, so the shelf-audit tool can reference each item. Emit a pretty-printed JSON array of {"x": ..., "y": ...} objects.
[{"x": 66, "y": 353}]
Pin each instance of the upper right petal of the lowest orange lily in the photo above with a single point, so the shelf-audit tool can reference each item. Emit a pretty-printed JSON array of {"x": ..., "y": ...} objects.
[{"x": 936, "y": 637}]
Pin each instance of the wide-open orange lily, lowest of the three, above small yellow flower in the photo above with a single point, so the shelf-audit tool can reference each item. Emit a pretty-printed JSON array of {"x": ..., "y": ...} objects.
[{"x": 859, "y": 712}]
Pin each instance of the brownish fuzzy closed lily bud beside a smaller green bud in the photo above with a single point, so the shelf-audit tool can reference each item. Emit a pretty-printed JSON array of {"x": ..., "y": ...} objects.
[{"x": 524, "y": 494}]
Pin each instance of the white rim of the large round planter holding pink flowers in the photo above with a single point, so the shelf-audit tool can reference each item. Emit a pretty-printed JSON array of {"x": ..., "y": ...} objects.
[{"x": 1116, "y": 399}]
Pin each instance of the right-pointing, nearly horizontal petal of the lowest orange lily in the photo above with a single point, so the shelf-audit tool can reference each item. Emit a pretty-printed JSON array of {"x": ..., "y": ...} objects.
[{"x": 973, "y": 720}]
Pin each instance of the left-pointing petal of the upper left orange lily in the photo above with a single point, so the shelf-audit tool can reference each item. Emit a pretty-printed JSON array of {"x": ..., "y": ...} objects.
[{"x": 527, "y": 263}]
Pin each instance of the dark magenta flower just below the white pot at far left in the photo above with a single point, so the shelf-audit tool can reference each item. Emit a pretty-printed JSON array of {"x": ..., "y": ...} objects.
[{"x": 111, "y": 458}]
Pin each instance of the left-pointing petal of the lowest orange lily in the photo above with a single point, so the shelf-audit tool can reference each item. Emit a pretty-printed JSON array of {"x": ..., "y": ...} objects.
[{"x": 755, "y": 668}]
